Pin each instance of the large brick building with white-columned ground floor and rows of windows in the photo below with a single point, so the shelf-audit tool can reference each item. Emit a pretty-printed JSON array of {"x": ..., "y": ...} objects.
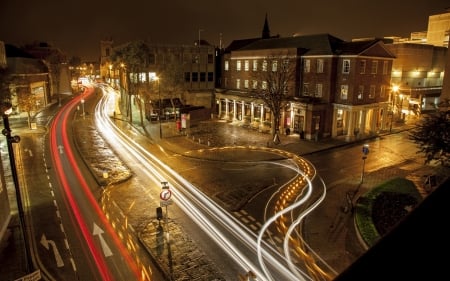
[{"x": 340, "y": 88}]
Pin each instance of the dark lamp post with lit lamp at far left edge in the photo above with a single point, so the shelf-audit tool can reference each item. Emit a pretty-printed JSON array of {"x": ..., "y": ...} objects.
[{"x": 6, "y": 109}]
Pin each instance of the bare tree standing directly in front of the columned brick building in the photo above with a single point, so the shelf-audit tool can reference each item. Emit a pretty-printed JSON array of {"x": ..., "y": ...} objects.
[{"x": 275, "y": 77}]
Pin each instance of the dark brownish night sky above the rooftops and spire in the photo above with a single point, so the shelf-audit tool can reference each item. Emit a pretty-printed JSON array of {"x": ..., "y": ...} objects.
[{"x": 76, "y": 27}]
